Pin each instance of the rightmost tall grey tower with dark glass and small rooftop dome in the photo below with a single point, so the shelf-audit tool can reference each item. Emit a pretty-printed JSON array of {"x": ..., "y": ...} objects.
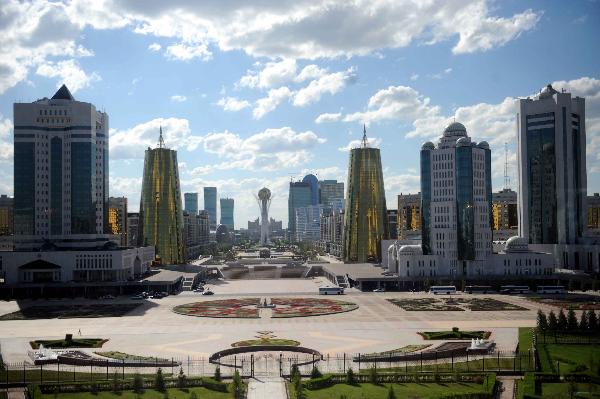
[{"x": 552, "y": 168}]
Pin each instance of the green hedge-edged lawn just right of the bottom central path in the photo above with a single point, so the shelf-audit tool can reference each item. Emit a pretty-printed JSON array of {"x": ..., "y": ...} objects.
[{"x": 409, "y": 390}]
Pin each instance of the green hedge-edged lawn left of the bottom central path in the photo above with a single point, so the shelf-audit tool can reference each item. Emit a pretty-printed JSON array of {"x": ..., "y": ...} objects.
[{"x": 174, "y": 393}]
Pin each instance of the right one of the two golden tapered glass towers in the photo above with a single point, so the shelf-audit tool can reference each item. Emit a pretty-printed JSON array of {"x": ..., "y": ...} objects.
[{"x": 366, "y": 216}]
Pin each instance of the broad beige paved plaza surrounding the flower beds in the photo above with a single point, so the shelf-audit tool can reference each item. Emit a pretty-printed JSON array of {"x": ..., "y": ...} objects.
[{"x": 153, "y": 329}]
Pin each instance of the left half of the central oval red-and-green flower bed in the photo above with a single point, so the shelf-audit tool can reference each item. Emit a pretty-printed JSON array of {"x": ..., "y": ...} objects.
[{"x": 225, "y": 308}]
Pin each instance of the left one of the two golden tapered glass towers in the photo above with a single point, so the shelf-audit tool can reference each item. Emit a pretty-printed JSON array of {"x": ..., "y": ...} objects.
[{"x": 161, "y": 216}]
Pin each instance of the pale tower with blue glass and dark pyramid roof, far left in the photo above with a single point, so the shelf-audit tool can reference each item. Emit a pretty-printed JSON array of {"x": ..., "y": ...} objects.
[{"x": 60, "y": 172}]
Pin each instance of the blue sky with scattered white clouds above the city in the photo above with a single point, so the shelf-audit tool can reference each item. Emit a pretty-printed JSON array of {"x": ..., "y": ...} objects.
[{"x": 256, "y": 93}]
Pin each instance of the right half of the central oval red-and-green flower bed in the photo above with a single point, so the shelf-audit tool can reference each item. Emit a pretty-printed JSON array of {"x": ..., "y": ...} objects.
[{"x": 303, "y": 307}]
